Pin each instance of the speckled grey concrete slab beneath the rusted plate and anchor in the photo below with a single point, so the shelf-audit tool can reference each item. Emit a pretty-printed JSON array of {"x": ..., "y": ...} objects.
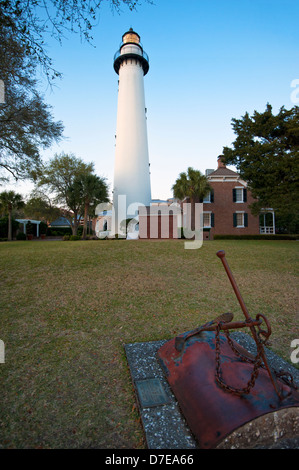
[{"x": 163, "y": 423}]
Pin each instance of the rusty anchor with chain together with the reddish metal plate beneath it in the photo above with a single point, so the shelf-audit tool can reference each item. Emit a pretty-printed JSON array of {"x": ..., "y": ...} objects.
[{"x": 219, "y": 385}]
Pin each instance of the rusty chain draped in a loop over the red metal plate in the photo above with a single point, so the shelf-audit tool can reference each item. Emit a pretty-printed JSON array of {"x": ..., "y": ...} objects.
[{"x": 257, "y": 363}]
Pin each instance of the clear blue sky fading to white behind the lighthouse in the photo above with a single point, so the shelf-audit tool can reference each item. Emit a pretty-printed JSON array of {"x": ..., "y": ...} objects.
[{"x": 210, "y": 61}]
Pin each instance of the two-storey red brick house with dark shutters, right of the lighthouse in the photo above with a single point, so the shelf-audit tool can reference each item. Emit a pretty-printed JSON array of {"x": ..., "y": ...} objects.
[{"x": 226, "y": 208}]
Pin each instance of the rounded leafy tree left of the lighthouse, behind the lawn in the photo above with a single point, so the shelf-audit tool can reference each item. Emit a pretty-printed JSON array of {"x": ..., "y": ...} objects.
[{"x": 60, "y": 177}]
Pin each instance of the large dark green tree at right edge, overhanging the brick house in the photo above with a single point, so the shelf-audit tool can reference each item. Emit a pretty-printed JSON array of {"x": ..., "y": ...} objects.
[{"x": 266, "y": 154}]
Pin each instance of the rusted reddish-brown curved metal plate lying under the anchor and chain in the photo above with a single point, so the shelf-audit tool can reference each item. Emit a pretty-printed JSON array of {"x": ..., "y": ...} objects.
[{"x": 211, "y": 412}]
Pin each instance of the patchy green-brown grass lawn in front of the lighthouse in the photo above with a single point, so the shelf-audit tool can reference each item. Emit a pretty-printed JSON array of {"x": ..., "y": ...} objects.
[{"x": 68, "y": 308}]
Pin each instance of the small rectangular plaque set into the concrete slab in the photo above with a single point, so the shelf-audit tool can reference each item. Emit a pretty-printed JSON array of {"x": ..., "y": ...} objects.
[{"x": 151, "y": 392}]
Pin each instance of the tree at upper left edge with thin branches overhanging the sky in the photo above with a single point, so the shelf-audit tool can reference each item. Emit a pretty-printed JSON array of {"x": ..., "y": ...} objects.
[{"x": 26, "y": 124}]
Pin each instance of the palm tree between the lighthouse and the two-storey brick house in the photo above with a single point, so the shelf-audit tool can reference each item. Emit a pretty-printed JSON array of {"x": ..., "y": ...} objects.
[{"x": 192, "y": 185}]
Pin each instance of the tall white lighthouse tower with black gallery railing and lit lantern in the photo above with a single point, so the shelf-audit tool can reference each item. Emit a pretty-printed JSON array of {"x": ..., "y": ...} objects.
[{"x": 131, "y": 171}]
